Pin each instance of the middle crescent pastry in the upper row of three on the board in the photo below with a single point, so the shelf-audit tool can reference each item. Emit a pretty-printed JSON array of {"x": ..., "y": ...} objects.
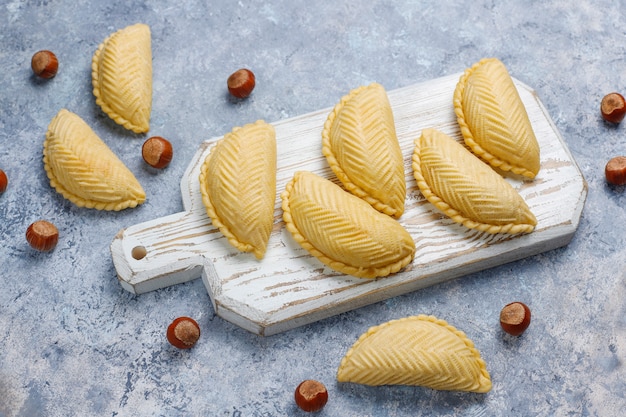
[{"x": 360, "y": 144}]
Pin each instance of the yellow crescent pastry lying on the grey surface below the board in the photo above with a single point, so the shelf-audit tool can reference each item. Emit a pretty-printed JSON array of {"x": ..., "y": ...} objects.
[{"x": 419, "y": 350}]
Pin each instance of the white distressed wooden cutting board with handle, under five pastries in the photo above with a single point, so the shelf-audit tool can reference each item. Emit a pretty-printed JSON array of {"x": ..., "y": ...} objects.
[{"x": 289, "y": 288}]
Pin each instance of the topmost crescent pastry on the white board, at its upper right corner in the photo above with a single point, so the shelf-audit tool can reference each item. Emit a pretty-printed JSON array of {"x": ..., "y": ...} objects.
[{"x": 493, "y": 119}]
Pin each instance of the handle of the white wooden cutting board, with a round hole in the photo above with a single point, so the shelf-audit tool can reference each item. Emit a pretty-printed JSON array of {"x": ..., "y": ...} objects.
[{"x": 164, "y": 252}]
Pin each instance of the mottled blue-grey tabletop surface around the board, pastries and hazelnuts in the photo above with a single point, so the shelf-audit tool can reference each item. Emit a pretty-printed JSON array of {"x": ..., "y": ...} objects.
[{"x": 73, "y": 342}]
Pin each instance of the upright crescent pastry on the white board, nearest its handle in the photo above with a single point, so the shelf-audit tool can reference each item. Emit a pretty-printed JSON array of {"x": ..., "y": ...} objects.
[{"x": 238, "y": 186}]
